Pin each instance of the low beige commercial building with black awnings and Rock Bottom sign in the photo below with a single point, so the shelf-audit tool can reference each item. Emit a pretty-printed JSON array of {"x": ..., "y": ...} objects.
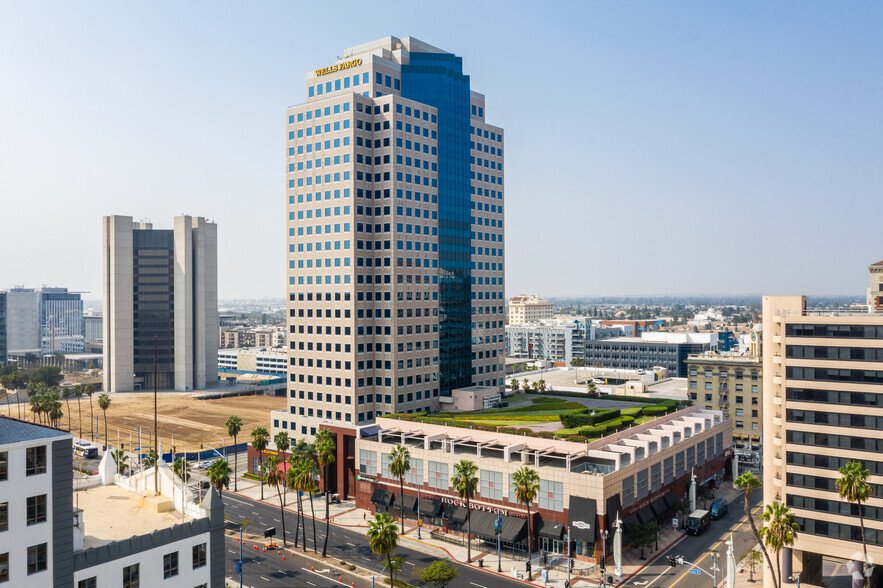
[{"x": 638, "y": 474}]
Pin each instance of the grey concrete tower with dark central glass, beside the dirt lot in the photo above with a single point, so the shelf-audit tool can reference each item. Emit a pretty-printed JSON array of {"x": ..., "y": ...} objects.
[{"x": 160, "y": 298}]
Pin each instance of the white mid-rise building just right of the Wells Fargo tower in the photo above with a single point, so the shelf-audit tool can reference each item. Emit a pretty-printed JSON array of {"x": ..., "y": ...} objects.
[{"x": 553, "y": 340}]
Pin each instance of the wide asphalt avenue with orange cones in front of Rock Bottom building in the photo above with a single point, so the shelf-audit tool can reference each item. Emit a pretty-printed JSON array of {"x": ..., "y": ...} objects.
[{"x": 265, "y": 570}]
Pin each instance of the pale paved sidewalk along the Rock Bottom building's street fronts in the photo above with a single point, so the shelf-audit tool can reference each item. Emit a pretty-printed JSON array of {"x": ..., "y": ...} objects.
[{"x": 584, "y": 574}]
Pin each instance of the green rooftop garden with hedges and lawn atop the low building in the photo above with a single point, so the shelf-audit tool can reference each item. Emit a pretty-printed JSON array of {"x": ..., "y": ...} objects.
[{"x": 551, "y": 417}]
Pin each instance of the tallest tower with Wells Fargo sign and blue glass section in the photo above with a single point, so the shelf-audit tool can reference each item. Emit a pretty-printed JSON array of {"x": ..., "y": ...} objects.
[{"x": 395, "y": 224}]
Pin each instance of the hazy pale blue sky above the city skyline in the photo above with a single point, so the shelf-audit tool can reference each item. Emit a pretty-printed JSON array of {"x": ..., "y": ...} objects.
[{"x": 651, "y": 147}]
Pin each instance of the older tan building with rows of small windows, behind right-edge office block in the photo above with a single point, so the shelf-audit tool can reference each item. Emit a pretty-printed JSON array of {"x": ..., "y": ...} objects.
[{"x": 732, "y": 383}]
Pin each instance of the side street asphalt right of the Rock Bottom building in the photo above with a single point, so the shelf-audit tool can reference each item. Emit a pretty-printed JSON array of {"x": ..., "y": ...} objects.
[{"x": 698, "y": 550}]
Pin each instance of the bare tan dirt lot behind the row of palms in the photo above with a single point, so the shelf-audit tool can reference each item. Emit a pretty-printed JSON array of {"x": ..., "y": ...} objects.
[{"x": 192, "y": 421}]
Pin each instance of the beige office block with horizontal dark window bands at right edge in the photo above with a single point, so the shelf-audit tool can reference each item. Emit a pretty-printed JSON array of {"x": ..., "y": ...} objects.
[{"x": 823, "y": 407}]
